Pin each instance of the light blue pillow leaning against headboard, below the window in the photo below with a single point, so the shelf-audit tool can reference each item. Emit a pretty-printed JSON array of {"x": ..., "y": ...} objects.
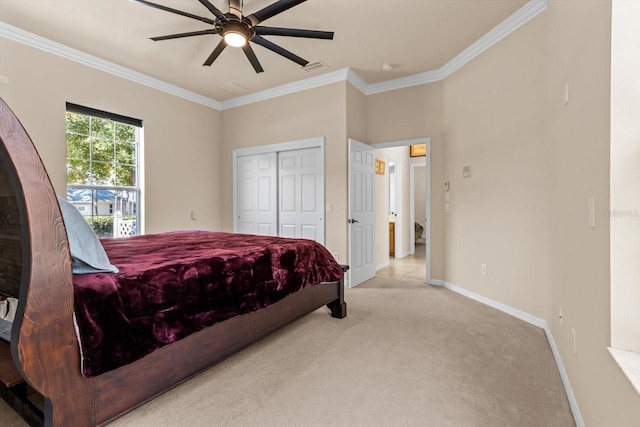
[{"x": 87, "y": 253}]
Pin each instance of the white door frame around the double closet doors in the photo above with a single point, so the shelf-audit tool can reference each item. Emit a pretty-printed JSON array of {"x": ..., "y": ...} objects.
[{"x": 318, "y": 142}]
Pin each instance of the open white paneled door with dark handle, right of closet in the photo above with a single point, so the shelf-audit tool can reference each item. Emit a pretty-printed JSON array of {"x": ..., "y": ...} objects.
[{"x": 361, "y": 213}]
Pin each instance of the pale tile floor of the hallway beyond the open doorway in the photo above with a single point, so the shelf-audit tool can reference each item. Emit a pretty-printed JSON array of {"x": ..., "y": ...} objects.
[{"x": 409, "y": 271}]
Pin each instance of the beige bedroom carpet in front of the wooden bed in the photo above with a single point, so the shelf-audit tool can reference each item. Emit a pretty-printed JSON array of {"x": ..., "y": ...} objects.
[{"x": 422, "y": 356}]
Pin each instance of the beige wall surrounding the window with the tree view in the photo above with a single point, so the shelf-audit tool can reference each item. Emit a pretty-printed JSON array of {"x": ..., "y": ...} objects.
[{"x": 182, "y": 139}]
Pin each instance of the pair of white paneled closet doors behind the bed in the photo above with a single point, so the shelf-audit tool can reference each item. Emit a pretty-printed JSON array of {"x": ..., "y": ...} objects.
[{"x": 281, "y": 194}]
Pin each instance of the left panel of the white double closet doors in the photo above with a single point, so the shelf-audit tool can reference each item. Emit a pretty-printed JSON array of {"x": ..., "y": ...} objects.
[{"x": 257, "y": 195}]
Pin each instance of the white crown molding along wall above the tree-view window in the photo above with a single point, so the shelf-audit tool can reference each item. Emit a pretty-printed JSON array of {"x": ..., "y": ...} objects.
[{"x": 16, "y": 34}]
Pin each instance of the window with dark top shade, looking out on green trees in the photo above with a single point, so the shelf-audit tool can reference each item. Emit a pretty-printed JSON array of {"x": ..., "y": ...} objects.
[{"x": 103, "y": 151}]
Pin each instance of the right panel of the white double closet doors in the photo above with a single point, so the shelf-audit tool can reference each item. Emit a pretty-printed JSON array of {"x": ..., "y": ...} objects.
[{"x": 301, "y": 177}]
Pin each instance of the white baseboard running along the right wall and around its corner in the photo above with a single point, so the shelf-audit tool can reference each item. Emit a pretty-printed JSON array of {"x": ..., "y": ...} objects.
[{"x": 533, "y": 320}]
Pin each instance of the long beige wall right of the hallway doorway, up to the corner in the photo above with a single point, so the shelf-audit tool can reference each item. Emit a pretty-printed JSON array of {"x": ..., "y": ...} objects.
[{"x": 494, "y": 122}]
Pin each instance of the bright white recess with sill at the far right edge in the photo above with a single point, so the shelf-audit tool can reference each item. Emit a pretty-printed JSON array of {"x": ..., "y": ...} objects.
[{"x": 625, "y": 174}]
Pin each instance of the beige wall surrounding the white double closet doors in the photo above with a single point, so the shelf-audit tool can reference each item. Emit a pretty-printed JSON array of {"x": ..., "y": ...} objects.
[{"x": 319, "y": 112}]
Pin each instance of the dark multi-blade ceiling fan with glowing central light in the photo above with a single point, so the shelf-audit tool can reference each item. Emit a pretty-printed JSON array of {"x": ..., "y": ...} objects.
[{"x": 238, "y": 30}]
